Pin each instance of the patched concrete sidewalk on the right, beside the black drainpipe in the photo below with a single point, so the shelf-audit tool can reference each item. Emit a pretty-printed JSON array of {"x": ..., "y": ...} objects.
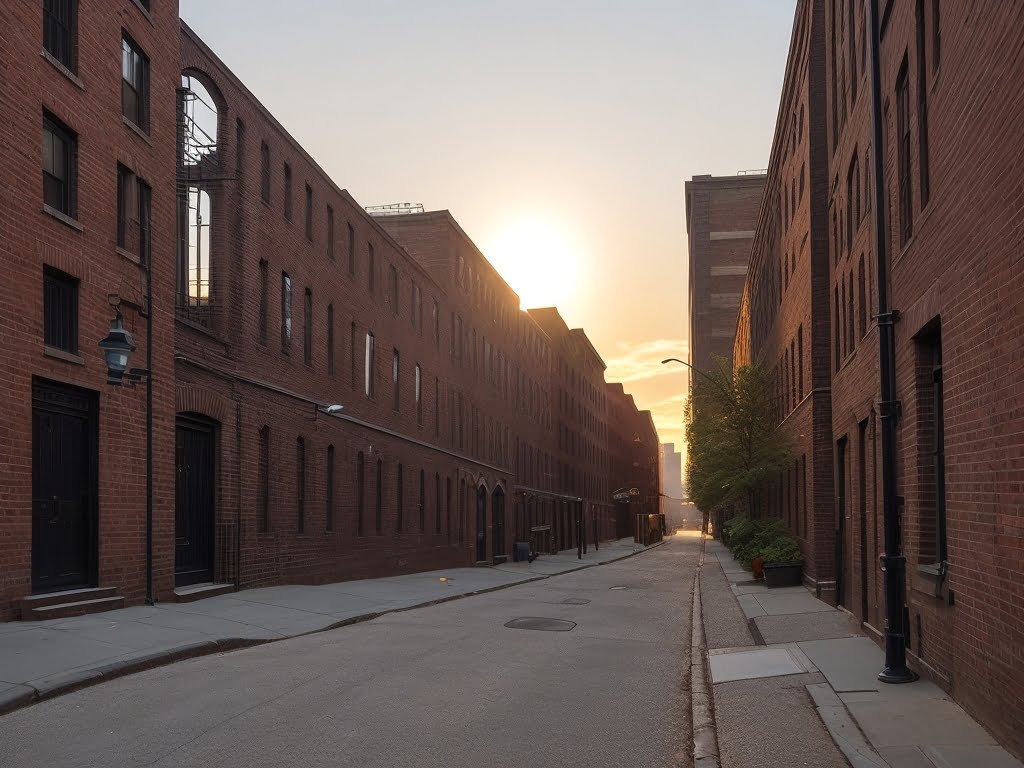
[{"x": 802, "y": 672}]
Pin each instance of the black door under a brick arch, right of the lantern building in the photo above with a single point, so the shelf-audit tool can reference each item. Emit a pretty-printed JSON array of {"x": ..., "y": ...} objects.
[{"x": 194, "y": 513}]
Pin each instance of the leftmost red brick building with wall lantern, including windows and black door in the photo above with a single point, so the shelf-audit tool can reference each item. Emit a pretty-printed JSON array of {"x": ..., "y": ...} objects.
[{"x": 89, "y": 206}]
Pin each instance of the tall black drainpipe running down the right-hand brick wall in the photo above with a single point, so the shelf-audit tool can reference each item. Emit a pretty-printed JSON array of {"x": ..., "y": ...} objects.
[{"x": 892, "y": 563}]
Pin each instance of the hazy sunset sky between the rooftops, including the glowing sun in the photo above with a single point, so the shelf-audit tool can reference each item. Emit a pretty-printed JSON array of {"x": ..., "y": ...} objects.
[{"x": 559, "y": 134}]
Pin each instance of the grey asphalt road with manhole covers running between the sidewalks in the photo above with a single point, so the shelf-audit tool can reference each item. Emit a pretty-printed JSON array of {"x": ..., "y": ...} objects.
[{"x": 448, "y": 686}]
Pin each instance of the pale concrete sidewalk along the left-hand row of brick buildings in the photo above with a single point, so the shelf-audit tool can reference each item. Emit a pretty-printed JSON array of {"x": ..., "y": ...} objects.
[{"x": 39, "y": 660}]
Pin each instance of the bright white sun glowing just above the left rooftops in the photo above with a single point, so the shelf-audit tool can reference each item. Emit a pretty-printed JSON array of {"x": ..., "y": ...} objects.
[{"x": 537, "y": 259}]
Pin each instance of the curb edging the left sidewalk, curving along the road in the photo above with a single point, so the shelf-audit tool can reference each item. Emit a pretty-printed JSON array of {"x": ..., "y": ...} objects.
[{"x": 26, "y": 695}]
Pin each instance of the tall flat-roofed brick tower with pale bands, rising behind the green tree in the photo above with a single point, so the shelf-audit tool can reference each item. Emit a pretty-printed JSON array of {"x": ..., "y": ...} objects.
[{"x": 721, "y": 214}]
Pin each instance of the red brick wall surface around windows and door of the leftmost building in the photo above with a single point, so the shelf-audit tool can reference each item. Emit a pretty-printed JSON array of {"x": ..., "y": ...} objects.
[{"x": 90, "y": 104}]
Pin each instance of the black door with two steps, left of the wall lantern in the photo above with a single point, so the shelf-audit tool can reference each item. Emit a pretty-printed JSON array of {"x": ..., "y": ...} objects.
[{"x": 64, "y": 488}]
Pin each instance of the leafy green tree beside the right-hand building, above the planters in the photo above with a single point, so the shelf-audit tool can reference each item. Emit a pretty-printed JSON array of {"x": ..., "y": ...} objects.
[{"x": 733, "y": 441}]
